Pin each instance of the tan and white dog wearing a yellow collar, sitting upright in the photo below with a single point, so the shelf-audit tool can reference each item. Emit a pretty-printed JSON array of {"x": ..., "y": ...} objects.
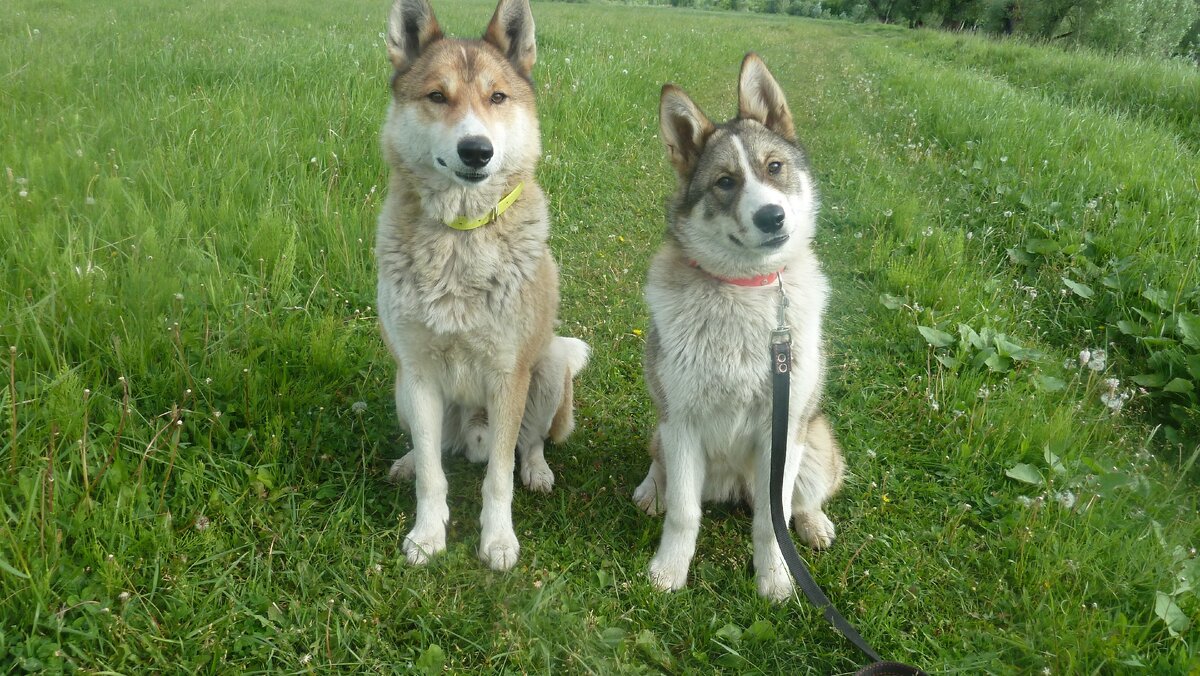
[{"x": 469, "y": 291}]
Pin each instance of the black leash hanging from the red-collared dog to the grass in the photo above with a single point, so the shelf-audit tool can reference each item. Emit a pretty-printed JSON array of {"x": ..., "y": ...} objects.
[{"x": 781, "y": 386}]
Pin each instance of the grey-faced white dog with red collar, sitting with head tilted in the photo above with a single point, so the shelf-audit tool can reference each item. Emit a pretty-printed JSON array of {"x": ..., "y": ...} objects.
[{"x": 746, "y": 207}]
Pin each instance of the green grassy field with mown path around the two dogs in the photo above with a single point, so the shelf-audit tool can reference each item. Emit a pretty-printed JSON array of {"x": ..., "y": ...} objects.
[{"x": 196, "y": 412}]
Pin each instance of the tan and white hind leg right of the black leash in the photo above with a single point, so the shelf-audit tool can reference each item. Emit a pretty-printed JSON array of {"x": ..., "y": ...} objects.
[{"x": 821, "y": 474}]
